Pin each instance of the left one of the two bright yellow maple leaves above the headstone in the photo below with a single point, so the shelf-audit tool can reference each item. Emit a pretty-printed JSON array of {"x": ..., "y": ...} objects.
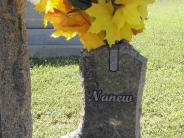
[{"x": 104, "y": 23}]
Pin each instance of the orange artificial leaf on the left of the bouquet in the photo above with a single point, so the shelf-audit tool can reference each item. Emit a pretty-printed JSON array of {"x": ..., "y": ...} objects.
[{"x": 68, "y": 25}]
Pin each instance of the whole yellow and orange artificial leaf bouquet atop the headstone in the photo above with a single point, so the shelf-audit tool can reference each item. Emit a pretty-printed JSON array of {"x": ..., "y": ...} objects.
[{"x": 96, "y": 22}]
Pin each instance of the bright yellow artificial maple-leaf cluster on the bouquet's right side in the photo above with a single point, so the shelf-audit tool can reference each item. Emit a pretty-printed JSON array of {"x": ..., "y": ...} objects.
[{"x": 118, "y": 23}]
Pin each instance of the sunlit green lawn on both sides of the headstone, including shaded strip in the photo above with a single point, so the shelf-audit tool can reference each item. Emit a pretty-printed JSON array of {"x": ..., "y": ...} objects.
[{"x": 56, "y": 99}]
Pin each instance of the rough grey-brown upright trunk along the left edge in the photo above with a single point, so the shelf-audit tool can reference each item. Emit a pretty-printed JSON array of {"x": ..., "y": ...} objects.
[{"x": 15, "y": 92}]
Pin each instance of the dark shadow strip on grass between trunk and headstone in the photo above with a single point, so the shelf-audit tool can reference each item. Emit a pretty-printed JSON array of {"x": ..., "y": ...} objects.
[{"x": 55, "y": 62}]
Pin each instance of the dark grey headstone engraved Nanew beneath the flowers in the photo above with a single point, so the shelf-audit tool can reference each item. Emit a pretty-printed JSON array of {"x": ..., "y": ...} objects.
[{"x": 112, "y": 82}]
